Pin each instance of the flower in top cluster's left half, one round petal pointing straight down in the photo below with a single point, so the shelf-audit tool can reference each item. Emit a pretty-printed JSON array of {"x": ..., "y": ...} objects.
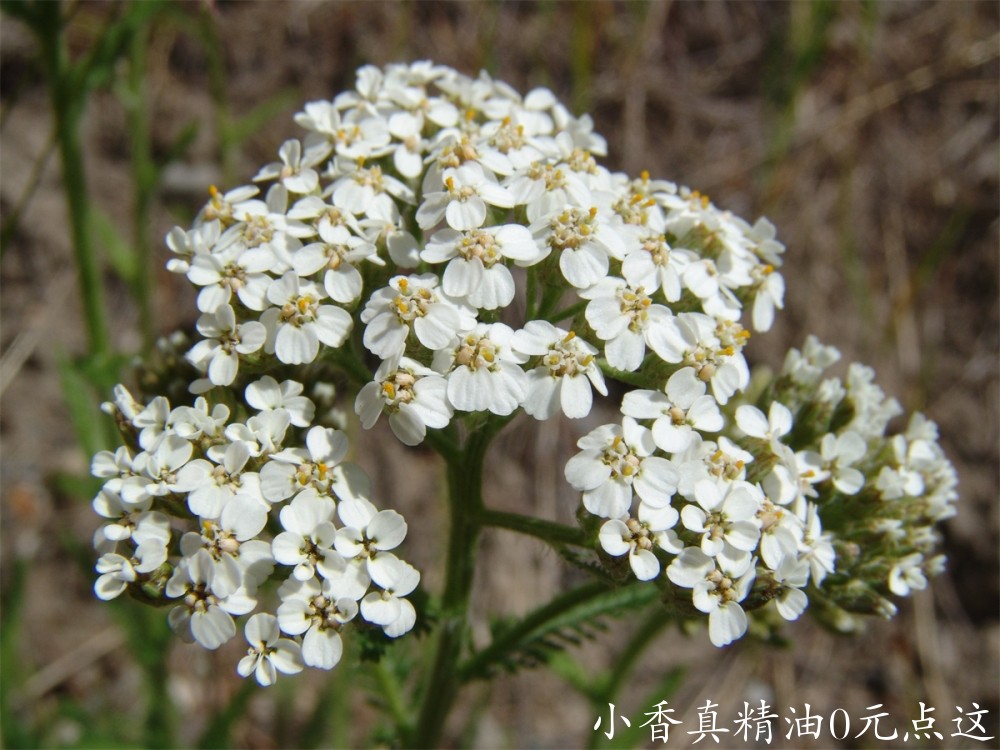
[{"x": 337, "y": 255}]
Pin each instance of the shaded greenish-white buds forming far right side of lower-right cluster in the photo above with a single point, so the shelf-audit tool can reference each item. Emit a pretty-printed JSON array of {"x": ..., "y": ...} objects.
[{"x": 900, "y": 486}]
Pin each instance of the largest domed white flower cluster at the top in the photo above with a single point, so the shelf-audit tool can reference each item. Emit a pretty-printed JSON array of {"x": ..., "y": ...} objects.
[{"x": 490, "y": 182}]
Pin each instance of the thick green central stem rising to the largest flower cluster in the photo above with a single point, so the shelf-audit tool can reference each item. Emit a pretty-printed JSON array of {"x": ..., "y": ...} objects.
[{"x": 465, "y": 471}]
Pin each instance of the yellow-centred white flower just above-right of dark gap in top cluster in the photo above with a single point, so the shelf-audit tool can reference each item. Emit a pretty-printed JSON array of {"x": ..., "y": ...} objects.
[{"x": 584, "y": 241}]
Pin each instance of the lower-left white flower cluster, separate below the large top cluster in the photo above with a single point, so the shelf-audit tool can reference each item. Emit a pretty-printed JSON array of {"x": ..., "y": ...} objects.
[{"x": 221, "y": 484}]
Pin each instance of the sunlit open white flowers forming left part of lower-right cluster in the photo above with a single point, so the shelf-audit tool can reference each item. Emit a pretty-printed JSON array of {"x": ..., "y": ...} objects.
[{"x": 668, "y": 489}]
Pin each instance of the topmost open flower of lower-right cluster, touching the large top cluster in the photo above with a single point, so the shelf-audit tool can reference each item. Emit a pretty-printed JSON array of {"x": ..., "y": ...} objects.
[{"x": 679, "y": 410}]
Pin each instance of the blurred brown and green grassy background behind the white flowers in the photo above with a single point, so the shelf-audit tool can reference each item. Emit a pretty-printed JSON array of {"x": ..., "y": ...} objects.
[{"x": 866, "y": 131}]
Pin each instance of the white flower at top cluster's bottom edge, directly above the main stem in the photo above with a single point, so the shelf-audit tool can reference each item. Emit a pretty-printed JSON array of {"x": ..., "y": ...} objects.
[{"x": 483, "y": 370}]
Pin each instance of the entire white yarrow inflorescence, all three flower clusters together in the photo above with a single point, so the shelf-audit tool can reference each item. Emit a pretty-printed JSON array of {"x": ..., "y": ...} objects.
[{"x": 449, "y": 249}]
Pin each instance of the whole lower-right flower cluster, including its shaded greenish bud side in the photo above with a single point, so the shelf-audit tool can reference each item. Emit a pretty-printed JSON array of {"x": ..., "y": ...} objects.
[{"x": 832, "y": 504}]
